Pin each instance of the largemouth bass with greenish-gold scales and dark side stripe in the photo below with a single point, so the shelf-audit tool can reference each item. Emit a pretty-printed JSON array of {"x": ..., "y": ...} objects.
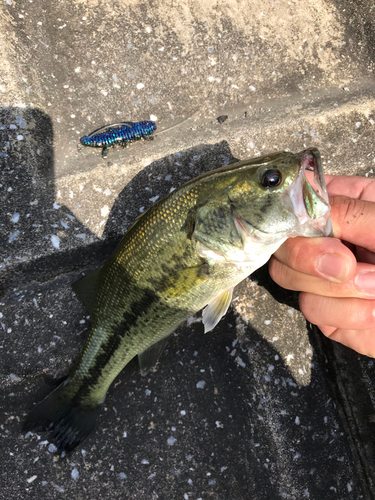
[{"x": 187, "y": 252}]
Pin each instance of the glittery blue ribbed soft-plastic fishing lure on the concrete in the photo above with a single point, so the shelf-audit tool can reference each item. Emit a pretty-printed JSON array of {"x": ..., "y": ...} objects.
[{"x": 118, "y": 133}]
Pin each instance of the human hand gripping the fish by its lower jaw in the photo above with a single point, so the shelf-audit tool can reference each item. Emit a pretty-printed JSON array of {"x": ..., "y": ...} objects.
[{"x": 337, "y": 280}]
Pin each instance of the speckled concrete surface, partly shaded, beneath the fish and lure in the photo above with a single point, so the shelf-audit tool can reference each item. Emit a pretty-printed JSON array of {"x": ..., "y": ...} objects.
[{"x": 282, "y": 413}]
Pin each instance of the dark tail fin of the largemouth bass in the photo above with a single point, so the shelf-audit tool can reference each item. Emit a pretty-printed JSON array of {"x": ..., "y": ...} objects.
[{"x": 62, "y": 413}]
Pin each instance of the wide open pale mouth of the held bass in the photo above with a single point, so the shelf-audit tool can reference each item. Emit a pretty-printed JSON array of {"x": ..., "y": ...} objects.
[{"x": 309, "y": 196}]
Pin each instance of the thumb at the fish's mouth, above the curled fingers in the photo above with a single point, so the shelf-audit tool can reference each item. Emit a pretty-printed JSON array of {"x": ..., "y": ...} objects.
[{"x": 353, "y": 221}]
